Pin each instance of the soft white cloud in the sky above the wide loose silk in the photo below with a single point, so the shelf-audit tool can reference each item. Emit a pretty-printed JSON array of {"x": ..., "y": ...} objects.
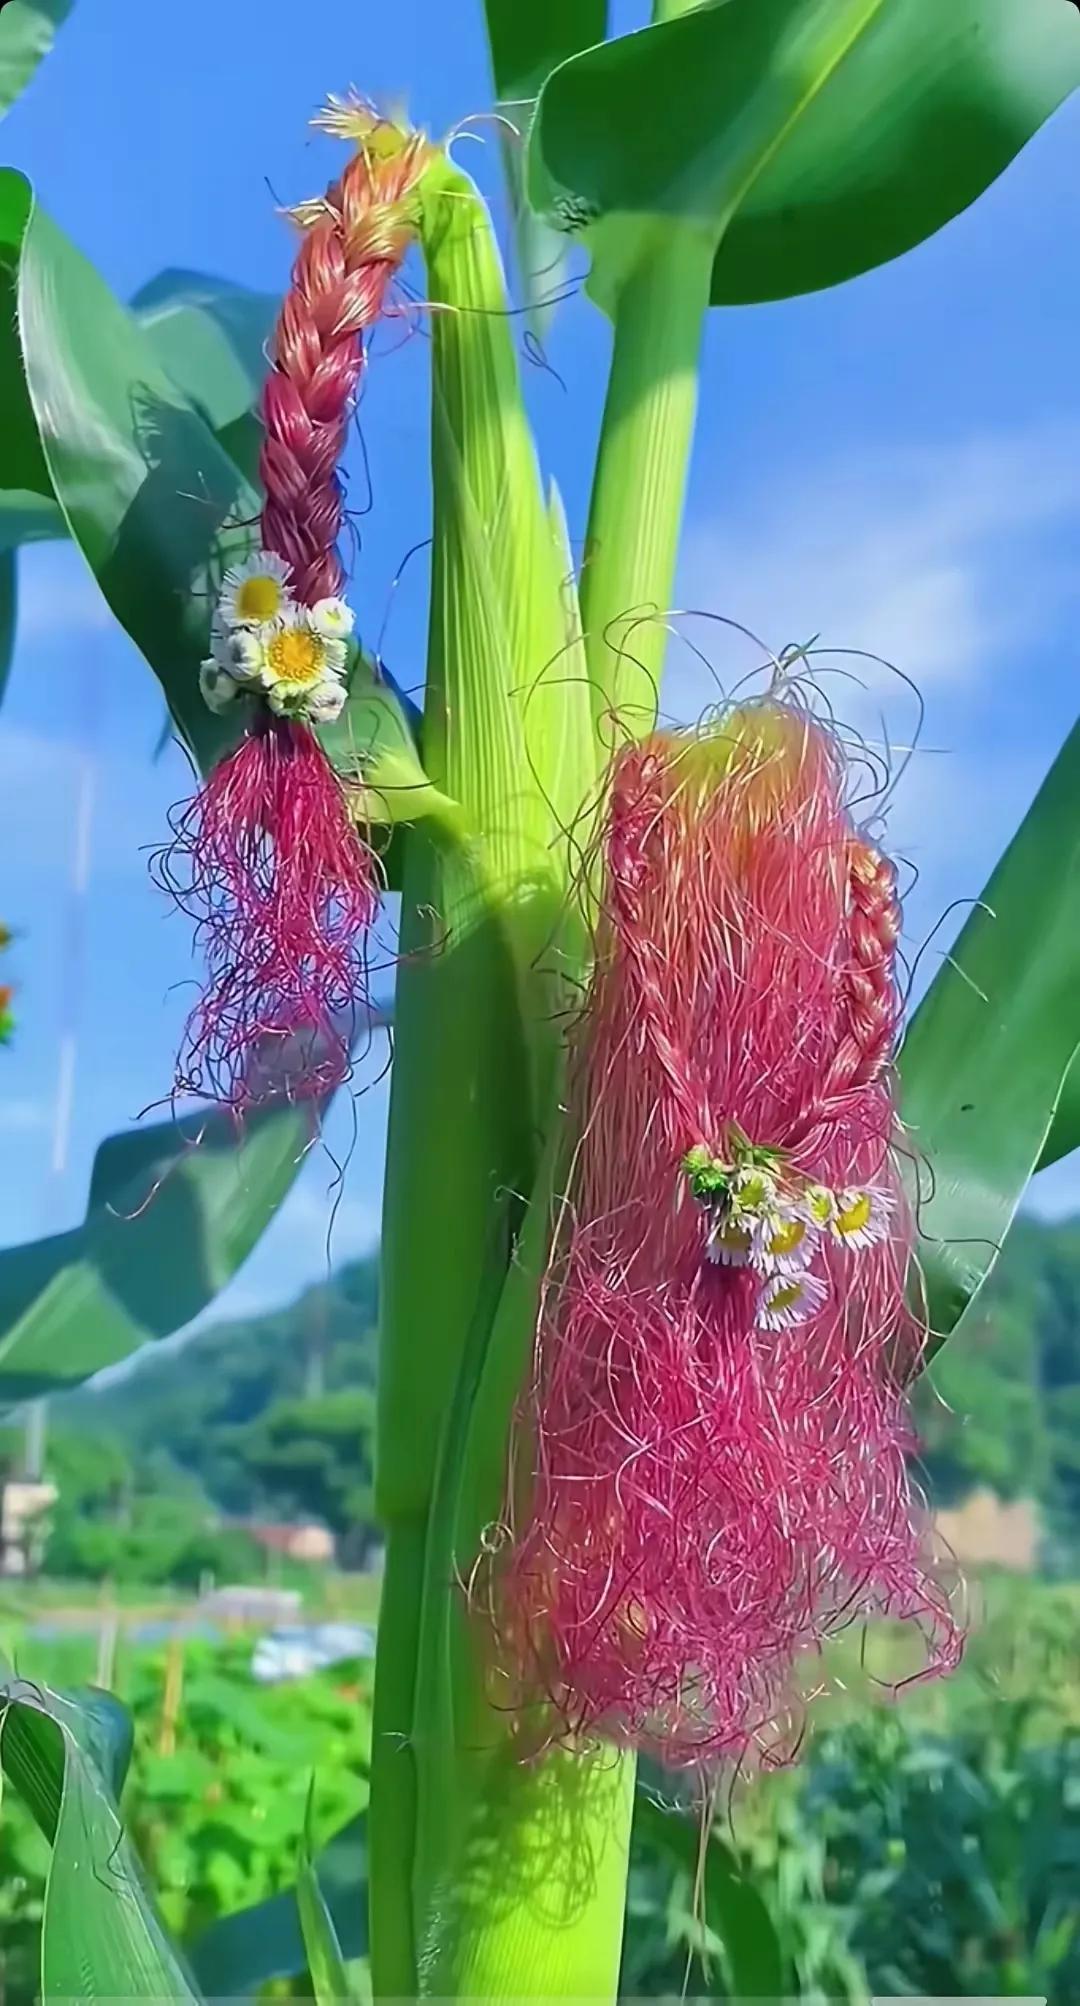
[{"x": 938, "y": 559}]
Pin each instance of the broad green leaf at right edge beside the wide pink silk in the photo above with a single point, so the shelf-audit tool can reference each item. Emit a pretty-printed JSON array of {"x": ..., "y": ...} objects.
[{"x": 993, "y": 1044}]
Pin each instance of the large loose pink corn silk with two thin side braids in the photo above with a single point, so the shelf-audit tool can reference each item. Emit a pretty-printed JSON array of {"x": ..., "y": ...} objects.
[{"x": 698, "y": 1503}]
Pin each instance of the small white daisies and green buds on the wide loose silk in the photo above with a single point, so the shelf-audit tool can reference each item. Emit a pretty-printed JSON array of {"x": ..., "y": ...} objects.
[{"x": 766, "y": 1217}]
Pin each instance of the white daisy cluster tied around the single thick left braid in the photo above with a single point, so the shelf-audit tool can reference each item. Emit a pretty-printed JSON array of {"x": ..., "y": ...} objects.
[{"x": 266, "y": 645}]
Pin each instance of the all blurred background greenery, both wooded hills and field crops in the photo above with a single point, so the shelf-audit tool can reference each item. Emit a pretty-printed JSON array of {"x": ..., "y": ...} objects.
[{"x": 928, "y": 1847}]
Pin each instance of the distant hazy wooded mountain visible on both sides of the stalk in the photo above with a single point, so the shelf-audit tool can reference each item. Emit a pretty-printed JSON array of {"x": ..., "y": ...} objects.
[{"x": 1001, "y": 1405}]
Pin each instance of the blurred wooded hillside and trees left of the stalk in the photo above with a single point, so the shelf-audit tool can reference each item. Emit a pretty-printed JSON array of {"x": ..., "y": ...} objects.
[{"x": 268, "y": 1419}]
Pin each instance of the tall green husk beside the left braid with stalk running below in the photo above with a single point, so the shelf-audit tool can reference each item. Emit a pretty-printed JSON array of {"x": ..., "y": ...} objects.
[{"x": 475, "y": 1026}]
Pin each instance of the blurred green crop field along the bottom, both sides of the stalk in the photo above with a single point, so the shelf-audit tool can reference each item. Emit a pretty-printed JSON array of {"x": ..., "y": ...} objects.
[{"x": 920, "y": 1847}]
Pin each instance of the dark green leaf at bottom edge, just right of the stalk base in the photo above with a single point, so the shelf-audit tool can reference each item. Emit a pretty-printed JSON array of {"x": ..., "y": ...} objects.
[{"x": 730, "y": 1907}]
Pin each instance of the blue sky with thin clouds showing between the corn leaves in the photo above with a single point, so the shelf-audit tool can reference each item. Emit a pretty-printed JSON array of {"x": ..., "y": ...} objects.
[{"x": 894, "y": 466}]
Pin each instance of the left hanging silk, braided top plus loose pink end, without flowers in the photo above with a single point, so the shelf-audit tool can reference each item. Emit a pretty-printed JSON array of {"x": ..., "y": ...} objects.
[{"x": 268, "y": 860}]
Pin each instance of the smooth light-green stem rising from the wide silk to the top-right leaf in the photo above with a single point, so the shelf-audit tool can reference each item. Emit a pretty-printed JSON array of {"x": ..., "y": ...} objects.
[{"x": 641, "y": 474}]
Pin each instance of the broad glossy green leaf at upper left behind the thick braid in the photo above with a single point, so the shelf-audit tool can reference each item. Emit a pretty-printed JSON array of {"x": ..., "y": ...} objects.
[{"x": 148, "y": 492}]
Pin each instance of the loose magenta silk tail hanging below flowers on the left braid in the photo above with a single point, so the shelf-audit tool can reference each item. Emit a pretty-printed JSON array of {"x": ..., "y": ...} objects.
[{"x": 284, "y": 894}]
